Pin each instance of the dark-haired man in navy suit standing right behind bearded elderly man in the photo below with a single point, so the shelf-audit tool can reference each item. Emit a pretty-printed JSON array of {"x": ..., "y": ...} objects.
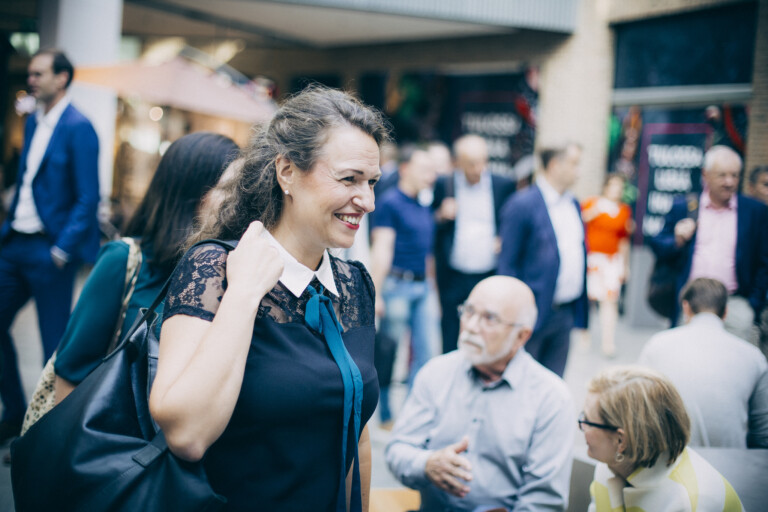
[{"x": 542, "y": 244}]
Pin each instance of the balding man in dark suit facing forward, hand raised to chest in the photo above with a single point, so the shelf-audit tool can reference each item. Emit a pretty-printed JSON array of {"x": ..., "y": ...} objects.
[{"x": 466, "y": 205}]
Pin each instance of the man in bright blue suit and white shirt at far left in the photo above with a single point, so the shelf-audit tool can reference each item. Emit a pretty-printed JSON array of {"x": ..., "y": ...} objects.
[{"x": 51, "y": 226}]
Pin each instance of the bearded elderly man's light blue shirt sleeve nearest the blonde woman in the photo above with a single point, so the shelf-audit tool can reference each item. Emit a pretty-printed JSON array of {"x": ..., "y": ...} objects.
[{"x": 547, "y": 470}]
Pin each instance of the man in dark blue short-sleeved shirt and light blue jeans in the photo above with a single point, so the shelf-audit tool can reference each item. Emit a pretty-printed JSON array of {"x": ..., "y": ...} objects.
[{"x": 401, "y": 246}]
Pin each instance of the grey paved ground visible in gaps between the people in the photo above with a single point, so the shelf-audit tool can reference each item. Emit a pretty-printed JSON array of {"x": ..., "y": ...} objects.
[{"x": 582, "y": 364}]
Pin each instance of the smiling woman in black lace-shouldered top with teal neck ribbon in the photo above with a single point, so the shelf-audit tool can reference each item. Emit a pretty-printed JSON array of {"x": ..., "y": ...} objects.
[{"x": 266, "y": 353}]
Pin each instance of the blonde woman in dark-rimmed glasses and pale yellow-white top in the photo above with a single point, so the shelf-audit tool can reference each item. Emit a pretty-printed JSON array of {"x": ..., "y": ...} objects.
[{"x": 636, "y": 426}]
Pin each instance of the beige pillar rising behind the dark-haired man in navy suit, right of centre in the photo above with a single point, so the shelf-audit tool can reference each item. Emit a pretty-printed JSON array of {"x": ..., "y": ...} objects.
[{"x": 575, "y": 93}]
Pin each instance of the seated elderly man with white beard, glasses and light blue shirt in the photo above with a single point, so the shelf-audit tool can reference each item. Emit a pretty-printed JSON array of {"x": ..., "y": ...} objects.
[{"x": 486, "y": 427}]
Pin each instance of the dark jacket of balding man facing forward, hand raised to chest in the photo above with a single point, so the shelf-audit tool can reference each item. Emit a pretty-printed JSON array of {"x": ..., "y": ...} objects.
[{"x": 501, "y": 187}]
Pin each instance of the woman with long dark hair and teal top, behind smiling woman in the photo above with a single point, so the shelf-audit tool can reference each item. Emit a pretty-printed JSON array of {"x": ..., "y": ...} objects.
[{"x": 188, "y": 170}]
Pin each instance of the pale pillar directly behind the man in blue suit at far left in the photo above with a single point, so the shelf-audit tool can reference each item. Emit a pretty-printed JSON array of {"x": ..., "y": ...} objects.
[{"x": 89, "y": 32}]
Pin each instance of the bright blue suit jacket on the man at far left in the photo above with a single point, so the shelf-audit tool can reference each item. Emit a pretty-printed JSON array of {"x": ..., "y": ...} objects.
[{"x": 66, "y": 187}]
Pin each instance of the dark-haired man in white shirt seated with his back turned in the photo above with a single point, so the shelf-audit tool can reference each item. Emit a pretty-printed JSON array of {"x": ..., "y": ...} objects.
[{"x": 722, "y": 378}]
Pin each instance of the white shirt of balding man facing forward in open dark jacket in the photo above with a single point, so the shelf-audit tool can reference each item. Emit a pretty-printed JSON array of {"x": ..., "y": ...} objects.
[{"x": 474, "y": 241}]
